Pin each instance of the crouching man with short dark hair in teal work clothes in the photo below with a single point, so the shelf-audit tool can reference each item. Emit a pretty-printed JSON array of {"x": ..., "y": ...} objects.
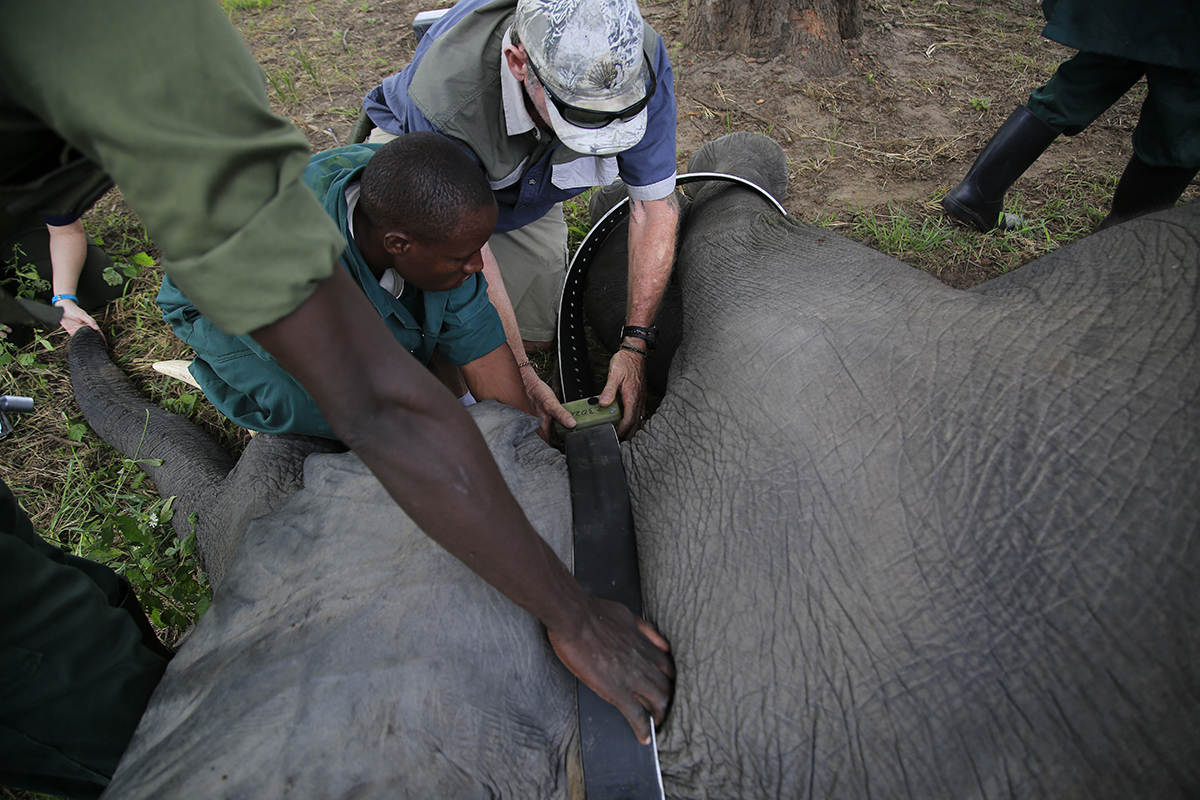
[{"x": 415, "y": 213}]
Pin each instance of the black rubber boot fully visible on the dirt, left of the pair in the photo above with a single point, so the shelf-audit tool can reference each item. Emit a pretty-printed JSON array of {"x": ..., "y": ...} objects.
[{"x": 980, "y": 199}]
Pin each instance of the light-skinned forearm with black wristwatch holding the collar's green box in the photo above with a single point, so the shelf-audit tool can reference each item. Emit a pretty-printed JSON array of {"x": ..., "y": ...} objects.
[{"x": 652, "y": 236}]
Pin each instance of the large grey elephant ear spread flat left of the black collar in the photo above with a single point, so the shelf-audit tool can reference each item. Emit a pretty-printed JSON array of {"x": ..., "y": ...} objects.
[{"x": 350, "y": 655}]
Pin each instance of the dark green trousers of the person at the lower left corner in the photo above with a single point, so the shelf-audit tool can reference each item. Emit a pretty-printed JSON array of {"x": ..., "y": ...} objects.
[{"x": 75, "y": 677}]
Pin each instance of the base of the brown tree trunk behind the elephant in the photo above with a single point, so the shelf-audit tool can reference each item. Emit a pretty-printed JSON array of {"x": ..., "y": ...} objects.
[{"x": 807, "y": 33}]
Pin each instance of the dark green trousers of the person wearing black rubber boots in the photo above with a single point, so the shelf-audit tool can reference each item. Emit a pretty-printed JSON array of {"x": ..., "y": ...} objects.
[{"x": 1168, "y": 133}]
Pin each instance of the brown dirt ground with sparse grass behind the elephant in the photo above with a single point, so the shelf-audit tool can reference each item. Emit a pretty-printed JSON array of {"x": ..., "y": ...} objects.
[{"x": 929, "y": 82}]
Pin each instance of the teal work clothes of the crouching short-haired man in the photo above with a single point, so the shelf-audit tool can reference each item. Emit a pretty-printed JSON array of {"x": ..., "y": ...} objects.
[{"x": 247, "y": 384}]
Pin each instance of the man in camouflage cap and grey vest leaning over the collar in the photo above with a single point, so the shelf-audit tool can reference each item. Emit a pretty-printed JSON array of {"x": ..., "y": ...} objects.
[{"x": 553, "y": 98}]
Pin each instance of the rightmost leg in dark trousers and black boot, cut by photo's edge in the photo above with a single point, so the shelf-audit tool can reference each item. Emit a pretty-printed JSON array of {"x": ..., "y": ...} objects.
[{"x": 1166, "y": 143}]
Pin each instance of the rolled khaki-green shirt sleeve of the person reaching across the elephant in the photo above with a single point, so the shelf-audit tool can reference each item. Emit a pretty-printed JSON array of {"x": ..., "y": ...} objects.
[{"x": 167, "y": 99}]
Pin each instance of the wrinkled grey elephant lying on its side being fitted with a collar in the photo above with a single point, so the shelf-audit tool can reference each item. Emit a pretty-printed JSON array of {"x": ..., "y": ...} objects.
[{"x": 907, "y": 542}]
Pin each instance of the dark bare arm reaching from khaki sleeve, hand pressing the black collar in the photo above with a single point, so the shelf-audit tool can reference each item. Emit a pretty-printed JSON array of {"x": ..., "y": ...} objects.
[{"x": 429, "y": 455}]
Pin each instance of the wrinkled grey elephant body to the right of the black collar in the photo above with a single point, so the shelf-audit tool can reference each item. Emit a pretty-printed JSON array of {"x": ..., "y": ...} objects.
[{"x": 915, "y": 542}]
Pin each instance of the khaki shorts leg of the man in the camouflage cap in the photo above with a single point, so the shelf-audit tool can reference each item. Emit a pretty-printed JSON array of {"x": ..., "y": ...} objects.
[{"x": 533, "y": 263}]
